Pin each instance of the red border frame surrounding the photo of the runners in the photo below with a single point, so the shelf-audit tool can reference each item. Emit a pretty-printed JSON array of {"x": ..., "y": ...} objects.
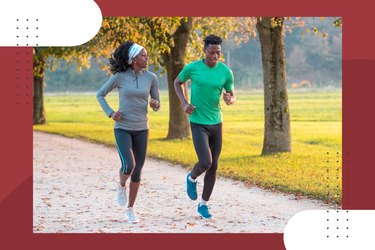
[{"x": 16, "y": 126}]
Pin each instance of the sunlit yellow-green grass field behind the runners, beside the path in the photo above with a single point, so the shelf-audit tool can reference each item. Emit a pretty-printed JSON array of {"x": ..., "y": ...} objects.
[{"x": 313, "y": 168}]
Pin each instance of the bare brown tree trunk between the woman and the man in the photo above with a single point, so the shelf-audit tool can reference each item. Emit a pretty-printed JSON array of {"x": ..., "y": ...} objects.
[{"x": 179, "y": 126}]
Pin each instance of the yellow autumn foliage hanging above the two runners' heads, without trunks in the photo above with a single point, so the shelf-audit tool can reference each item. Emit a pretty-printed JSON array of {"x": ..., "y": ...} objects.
[{"x": 156, "y": 34}]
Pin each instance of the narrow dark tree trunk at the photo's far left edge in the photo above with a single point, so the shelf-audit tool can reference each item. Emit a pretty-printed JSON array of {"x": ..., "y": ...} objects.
[{"x": 39, "y": 65}]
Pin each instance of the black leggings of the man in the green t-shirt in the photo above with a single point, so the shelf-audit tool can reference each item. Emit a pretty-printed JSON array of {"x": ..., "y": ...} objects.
[{"x": 207, "y": 143}]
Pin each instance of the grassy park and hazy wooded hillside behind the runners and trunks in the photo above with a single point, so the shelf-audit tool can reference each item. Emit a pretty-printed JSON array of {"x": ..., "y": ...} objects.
[{"x": 313, "y": 67}]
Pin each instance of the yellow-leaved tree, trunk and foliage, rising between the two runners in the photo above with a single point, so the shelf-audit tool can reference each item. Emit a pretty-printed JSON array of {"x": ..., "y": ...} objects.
[{"x": 185, "y": 43}]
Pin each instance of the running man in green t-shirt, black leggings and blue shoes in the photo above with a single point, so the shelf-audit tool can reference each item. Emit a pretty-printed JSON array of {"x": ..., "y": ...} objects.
[{"x": 208, "y": 79}]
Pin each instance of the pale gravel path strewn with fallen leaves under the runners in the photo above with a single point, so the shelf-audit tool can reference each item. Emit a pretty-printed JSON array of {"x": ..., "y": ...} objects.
[{"x": 74, "y": 192}]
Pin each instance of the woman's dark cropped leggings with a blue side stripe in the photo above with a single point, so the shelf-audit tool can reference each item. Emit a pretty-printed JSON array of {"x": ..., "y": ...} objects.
[{"x": 132, "y": 147}]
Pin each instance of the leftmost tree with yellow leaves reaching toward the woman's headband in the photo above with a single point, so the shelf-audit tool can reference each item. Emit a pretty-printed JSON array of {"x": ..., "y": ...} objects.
[{"x": 100, "y": 46}]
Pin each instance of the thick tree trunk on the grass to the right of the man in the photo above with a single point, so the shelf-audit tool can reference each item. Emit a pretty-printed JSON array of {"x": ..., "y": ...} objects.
[{"x": 276, "y": 107}]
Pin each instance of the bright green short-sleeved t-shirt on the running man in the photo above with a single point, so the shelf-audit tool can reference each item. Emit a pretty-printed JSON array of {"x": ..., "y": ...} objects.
[{"x": 206, "y": 87}]
